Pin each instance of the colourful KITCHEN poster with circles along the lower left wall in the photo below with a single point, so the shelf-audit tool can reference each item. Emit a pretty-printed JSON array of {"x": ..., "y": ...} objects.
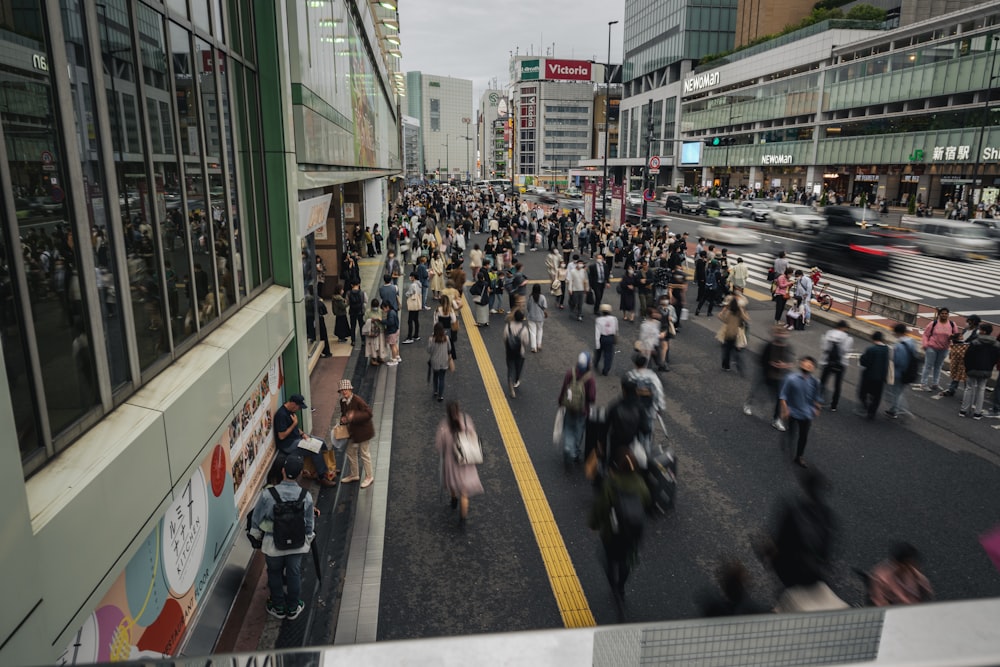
[{"x": 147, "y": 611}]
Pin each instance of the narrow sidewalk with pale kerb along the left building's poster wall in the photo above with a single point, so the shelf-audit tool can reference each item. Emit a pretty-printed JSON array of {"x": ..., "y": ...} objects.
[{"x": 347, "y": 515}]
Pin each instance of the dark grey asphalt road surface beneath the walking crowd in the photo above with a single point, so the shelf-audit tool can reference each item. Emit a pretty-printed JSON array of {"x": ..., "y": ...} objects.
[{"x": 929, "y": 479}]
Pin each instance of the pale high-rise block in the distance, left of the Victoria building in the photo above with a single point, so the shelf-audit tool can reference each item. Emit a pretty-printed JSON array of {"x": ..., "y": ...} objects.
[{"x": 443, "y": 106}]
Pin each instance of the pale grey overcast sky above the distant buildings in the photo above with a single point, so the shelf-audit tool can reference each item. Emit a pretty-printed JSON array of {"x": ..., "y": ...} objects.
[{"x": 474, "y": 39}]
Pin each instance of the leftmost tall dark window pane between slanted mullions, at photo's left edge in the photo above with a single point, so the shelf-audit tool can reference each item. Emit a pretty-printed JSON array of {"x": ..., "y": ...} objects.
[{"x": 38, "y": 180}]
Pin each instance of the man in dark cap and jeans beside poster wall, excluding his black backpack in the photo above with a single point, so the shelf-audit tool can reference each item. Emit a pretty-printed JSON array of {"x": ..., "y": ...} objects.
[{"x": 284, "y": 566}]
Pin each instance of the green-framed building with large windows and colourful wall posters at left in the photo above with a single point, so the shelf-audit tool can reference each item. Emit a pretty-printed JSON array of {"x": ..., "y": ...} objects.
[{"x": 166, "y": 210}]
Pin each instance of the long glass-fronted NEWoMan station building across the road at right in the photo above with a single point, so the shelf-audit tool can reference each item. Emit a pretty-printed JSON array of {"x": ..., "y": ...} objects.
[{"x": 901, "y": 114}]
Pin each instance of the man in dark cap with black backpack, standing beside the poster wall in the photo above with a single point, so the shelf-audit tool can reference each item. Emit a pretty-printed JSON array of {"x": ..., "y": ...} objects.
[{"x": 283, "y": 524}]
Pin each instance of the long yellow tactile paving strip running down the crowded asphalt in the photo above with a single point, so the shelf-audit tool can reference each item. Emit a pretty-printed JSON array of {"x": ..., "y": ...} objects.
[{"x": 566, "y": 586}]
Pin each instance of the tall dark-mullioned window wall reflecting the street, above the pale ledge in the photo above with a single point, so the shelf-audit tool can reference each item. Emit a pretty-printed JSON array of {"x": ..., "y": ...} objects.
[{"x": 127, "y": 230}]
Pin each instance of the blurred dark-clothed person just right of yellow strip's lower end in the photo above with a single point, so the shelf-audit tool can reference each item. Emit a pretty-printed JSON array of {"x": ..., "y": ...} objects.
[{"x": 619, "y": 516}]
